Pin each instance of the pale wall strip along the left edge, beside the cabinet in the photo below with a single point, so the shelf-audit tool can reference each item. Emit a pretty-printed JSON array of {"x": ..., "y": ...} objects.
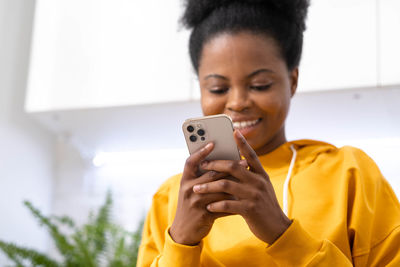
[{"x": 25, "y": 149}]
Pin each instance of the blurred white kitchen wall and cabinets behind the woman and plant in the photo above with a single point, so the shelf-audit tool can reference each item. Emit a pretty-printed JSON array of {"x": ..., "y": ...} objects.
[{"x": 93, "y": 94}]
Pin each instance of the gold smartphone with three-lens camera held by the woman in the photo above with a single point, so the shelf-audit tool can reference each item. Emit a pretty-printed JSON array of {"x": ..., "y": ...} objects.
[{"x": 217, "y": 129}]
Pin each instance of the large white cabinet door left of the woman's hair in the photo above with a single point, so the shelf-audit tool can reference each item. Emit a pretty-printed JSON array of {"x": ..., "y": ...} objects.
[{"x": 96, "y": 53}]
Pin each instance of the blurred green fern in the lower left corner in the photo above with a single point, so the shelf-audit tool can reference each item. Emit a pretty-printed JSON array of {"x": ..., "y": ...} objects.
[{"x": 97, "y": 243}]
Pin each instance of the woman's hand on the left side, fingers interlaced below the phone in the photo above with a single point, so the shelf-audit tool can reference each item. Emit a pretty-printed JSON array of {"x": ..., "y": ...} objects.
[{"x": 192, "y": 220}]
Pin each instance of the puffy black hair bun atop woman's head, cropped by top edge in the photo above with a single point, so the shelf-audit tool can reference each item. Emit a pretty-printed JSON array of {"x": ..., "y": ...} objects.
[{"x": 198, "y": 10}]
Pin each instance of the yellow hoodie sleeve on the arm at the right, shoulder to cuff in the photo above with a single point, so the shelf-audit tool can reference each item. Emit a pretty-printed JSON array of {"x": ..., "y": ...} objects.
[{"x": 373, "y": 228}]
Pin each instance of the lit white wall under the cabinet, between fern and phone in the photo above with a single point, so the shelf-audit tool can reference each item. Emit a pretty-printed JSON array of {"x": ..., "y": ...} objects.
[{"x": 79, "y": 183}]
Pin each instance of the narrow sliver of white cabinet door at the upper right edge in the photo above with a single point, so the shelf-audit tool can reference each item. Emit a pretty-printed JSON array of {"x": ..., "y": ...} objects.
[{"x": 389, "y": 29}]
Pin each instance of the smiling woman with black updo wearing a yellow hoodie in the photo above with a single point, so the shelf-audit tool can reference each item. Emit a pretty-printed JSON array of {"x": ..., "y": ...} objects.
[{"x": 300, "y": 203}]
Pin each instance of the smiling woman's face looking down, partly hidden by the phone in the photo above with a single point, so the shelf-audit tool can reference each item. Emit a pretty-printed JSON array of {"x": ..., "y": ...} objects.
[{"x": 243, "y": 75}]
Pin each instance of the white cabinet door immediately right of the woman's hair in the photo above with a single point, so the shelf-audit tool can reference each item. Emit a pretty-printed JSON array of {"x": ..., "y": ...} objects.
[{"x": 340, "y": 46}]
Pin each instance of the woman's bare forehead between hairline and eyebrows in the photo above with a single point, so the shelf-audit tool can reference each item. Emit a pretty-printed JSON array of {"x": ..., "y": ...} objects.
[{"x": 241, "y": 51}]
